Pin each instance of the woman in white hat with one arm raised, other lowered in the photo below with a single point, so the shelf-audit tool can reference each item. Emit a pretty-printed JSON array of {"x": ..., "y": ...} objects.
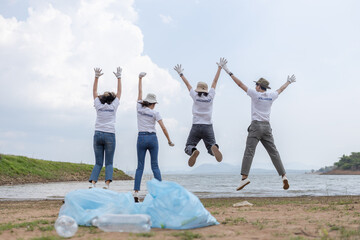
[{"x": 147, "y": 139}]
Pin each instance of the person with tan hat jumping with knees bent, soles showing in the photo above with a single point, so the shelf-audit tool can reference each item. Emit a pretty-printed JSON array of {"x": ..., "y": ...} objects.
[{"x": 202, "y": 127}]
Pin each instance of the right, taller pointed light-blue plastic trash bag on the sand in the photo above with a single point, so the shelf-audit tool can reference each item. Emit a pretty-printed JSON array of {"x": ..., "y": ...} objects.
[{"x": 172, "y": 206}]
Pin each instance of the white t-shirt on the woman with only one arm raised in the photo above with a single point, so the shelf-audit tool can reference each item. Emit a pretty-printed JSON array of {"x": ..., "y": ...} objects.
[{"x": 147, "y": 118}]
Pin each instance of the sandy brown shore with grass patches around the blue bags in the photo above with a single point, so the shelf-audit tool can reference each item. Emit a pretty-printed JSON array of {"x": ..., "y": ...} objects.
[{"x": 268, "y": 218}]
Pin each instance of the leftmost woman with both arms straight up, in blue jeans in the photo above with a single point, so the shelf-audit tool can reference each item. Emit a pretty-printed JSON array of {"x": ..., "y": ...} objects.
[{"x": 104, "y": 137}]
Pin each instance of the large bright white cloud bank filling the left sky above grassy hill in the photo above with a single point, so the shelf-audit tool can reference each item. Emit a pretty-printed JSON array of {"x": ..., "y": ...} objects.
[{"x": 46, "y": 74}]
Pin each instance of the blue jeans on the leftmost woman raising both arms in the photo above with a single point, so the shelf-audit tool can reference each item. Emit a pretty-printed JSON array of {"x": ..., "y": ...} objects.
[{"x": 104, "y": 144}]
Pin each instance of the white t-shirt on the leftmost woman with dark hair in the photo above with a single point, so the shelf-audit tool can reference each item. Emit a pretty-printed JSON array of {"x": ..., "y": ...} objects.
[{"x": 106, "y": 115}]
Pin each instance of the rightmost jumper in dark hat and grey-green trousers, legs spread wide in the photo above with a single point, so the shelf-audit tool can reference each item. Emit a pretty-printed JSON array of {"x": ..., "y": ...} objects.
[{"x": 260, "y": 129}]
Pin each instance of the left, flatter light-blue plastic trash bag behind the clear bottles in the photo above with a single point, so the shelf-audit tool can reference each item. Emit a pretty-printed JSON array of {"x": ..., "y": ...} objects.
[{"x": 85, "y": 204}]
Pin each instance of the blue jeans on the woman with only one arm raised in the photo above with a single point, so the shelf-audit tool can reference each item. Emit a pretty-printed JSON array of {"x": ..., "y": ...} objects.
[{"x": 147, "y": 141}]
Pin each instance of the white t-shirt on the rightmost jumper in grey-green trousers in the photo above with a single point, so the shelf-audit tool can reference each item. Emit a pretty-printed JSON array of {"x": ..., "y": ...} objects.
[{"x": 261, "y": 104}]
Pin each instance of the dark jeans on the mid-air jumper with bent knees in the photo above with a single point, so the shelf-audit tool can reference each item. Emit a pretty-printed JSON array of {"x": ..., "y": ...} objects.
[{"x": 198, "y": 132}]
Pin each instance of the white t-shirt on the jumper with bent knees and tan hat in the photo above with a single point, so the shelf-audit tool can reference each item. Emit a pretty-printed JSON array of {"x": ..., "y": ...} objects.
[{"x": 202, "y": 107}]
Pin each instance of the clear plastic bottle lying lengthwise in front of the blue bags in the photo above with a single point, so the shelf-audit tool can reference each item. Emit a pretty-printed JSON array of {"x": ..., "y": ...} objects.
[{"x": 123, "y": 222}]
